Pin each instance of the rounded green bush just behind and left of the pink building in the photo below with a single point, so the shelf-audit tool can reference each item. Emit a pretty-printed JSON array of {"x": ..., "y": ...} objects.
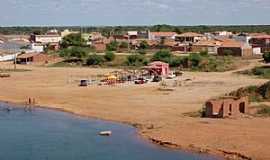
[{"x": 136, "y": 60}]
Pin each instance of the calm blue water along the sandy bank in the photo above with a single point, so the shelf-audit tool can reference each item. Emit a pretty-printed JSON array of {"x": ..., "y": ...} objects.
[{"x": 51, "y": 135}]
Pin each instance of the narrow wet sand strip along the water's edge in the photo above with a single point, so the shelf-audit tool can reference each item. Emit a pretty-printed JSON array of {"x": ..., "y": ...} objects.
[{"x": 139, "y": 131}]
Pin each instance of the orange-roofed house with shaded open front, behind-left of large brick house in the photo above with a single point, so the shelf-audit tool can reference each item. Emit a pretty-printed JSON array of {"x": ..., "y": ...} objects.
[{"x": 189, "y": 37}]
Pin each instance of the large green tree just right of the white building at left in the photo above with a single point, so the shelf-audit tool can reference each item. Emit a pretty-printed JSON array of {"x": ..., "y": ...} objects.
[{"x": 73, "y": 40}]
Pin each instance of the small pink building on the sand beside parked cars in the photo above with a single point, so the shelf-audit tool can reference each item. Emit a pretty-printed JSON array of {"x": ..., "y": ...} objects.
[{"x": 158, "y": 68}]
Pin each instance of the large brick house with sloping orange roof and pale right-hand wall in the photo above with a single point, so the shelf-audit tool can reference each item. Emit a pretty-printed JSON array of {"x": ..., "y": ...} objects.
[{"x": 234, "y": 48}]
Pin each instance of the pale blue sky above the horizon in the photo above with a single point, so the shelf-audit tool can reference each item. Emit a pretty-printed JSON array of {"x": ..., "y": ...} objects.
[{"x": 133, "y": 12}]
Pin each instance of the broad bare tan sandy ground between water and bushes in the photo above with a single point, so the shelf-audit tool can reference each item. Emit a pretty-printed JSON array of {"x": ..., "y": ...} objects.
[{"x": 158, "y": 114}]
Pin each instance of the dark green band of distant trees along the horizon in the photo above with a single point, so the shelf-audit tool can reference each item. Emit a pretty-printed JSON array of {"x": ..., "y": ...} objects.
[{"x": 120, "y": 29}]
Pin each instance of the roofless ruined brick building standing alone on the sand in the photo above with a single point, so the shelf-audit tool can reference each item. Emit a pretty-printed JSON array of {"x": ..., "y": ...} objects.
[{"x": 226, "y": 107}]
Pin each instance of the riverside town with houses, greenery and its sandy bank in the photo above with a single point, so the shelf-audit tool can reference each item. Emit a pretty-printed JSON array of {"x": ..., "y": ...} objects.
[{"x": 183, "y": 90}]
